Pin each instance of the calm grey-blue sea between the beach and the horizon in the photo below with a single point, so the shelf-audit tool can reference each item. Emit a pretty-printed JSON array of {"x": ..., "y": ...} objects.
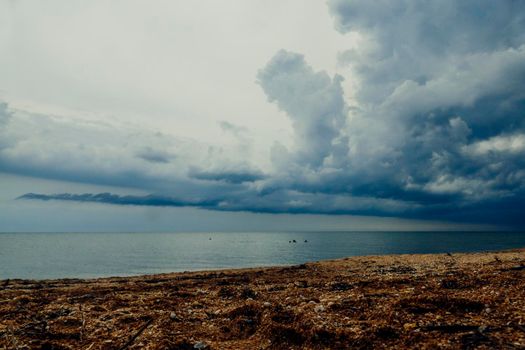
[{"x": 60, "y": 255}]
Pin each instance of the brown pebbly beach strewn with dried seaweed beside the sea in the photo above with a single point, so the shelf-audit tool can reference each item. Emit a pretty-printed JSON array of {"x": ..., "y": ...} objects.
[{"x": 399, "y": 301}]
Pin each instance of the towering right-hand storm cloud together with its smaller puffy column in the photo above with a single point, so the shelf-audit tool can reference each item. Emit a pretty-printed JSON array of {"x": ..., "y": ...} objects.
[{"x": 438, "y": 114}]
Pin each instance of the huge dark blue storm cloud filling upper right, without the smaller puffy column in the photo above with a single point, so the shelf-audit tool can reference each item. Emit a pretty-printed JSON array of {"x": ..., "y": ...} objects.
[{"x": 438, "y": 82}]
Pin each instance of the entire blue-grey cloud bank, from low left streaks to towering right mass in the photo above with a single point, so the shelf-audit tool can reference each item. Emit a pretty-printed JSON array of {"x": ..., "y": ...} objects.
[{"x": 435, "y": 127}]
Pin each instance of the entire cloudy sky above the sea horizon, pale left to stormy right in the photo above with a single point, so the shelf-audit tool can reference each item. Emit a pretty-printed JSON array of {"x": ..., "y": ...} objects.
[{"x": 262, "y": 115}]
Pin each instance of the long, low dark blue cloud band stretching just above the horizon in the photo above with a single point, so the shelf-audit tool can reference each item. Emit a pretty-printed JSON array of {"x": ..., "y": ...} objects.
[{"x": 505, "y": 212}]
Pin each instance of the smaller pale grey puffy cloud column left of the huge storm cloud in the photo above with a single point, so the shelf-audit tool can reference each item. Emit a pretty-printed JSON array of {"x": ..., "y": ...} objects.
[{"x": 314, "y": 102}]
